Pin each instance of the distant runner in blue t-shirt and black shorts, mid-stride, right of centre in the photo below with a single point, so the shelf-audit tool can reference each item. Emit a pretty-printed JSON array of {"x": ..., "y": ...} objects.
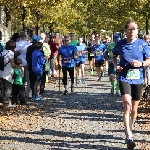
[{"x": 98, "y": 50}]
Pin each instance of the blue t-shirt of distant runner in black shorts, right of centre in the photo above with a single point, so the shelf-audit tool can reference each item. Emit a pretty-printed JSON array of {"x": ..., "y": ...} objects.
[{"x": 100, "y": 49}]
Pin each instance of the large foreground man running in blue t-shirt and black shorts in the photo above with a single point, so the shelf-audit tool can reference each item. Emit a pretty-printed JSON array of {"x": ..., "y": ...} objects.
[{"x": 130, "y": 70}]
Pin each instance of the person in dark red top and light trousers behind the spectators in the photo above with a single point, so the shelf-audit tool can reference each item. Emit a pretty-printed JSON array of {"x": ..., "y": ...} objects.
[{"x": 54, "y": 53}]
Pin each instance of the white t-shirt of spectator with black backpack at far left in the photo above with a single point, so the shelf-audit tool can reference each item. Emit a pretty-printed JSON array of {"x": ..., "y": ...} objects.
[{"x": 8, "y": 70}]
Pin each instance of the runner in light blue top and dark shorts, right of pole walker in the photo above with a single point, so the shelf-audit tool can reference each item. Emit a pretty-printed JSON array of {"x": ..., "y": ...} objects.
[{"x": 80, "y": 61}]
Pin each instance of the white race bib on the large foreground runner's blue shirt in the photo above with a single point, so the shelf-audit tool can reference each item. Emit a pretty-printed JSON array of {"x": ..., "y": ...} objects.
[{"x": 133, "y": 74}]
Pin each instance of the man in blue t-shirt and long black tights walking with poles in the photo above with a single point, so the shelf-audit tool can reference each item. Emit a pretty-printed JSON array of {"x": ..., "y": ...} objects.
[{"x": 69, "y": 54}]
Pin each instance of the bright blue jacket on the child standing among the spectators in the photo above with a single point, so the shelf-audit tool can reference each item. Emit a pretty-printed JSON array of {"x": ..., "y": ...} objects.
[{"x": 38, "y": 61}]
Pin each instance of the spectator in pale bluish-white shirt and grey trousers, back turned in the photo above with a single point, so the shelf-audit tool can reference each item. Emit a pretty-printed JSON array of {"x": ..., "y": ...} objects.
[{"x": 21, "y": 47}]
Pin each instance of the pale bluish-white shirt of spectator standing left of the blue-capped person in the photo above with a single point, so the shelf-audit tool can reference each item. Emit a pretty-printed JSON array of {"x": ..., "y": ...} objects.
[{"x": 22, "y": 45}]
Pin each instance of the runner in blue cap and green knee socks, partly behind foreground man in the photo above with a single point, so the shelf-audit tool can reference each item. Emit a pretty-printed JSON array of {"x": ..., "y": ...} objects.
[{"x": 111, "y": 68}]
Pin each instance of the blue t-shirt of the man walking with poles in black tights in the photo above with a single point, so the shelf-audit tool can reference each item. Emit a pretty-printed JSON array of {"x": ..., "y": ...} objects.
[{"x": 67, "y": 53}]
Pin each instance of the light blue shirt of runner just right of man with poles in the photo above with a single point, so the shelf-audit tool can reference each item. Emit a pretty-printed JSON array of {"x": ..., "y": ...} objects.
[{"x": 81, "y": 48}]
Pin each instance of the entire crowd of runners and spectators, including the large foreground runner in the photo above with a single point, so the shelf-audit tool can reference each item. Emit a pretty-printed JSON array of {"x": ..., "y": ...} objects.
[{"x": 32, "y": 61}]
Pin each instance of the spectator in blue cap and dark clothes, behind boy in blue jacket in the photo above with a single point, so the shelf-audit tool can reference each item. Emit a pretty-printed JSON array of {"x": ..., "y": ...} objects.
[{"x": 30, "y": 50}]
